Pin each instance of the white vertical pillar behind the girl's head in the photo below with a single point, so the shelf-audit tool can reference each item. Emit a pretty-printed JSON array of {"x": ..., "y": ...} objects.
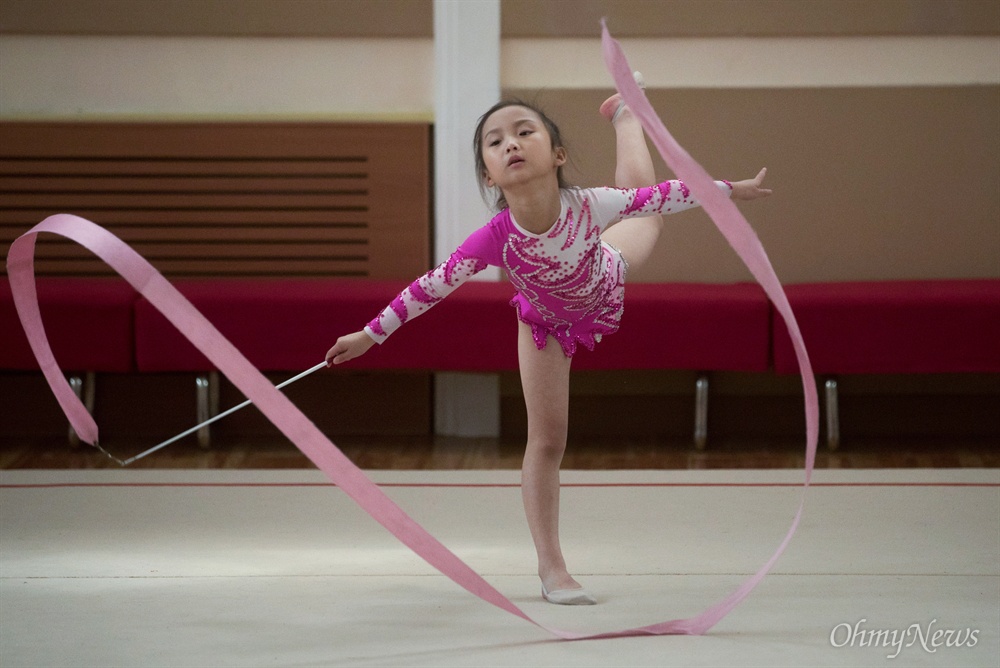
[{"x": 466, "y": 83}]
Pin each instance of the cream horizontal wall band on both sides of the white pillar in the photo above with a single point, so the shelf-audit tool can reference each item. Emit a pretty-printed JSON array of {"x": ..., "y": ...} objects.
[{"x": 44, "y": 77}]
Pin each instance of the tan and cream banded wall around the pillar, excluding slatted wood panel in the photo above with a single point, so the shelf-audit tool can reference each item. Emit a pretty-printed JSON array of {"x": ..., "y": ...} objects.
[{"x": 879, "y": 120}]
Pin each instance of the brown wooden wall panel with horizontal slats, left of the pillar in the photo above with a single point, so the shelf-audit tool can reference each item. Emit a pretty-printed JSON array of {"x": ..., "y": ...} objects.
[{"x": 226, "y": 199}]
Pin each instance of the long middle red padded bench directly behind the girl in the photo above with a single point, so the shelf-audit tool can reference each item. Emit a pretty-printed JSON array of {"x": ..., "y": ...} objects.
[{"x": 283, "y": 325}]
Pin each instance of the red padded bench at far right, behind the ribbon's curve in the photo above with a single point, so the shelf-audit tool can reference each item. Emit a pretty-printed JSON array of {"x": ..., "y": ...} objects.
[{"x": 898, "y": 327}]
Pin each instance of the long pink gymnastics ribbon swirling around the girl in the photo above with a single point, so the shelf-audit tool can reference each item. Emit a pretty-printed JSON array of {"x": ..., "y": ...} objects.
[{"x": 323, "y": 453}]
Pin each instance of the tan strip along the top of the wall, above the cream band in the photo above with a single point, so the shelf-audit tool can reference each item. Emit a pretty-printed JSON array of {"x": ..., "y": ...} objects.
[{"x": 520, "y": 18}]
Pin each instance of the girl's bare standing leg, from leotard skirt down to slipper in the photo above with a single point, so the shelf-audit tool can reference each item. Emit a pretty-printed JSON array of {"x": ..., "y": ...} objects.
[{"x": 545, "y": 381}]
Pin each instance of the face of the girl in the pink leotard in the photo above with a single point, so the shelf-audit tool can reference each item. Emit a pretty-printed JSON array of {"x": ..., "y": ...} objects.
[{"x": 517, "y": 148}]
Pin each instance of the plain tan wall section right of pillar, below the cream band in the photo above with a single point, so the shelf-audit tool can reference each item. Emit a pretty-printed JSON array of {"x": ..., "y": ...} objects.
[{"x": 870, "y": 183}]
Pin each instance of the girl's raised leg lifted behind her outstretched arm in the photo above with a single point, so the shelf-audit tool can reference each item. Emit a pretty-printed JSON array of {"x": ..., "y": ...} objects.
[{"x": 634, "y": 237}]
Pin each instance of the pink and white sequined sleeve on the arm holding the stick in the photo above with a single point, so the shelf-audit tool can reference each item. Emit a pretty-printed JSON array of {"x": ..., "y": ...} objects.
[{"x": 481, "y": 249}]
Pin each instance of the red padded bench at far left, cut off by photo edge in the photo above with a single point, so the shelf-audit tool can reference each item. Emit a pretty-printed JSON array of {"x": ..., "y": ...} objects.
[{"x": 89, "y": 323}]
